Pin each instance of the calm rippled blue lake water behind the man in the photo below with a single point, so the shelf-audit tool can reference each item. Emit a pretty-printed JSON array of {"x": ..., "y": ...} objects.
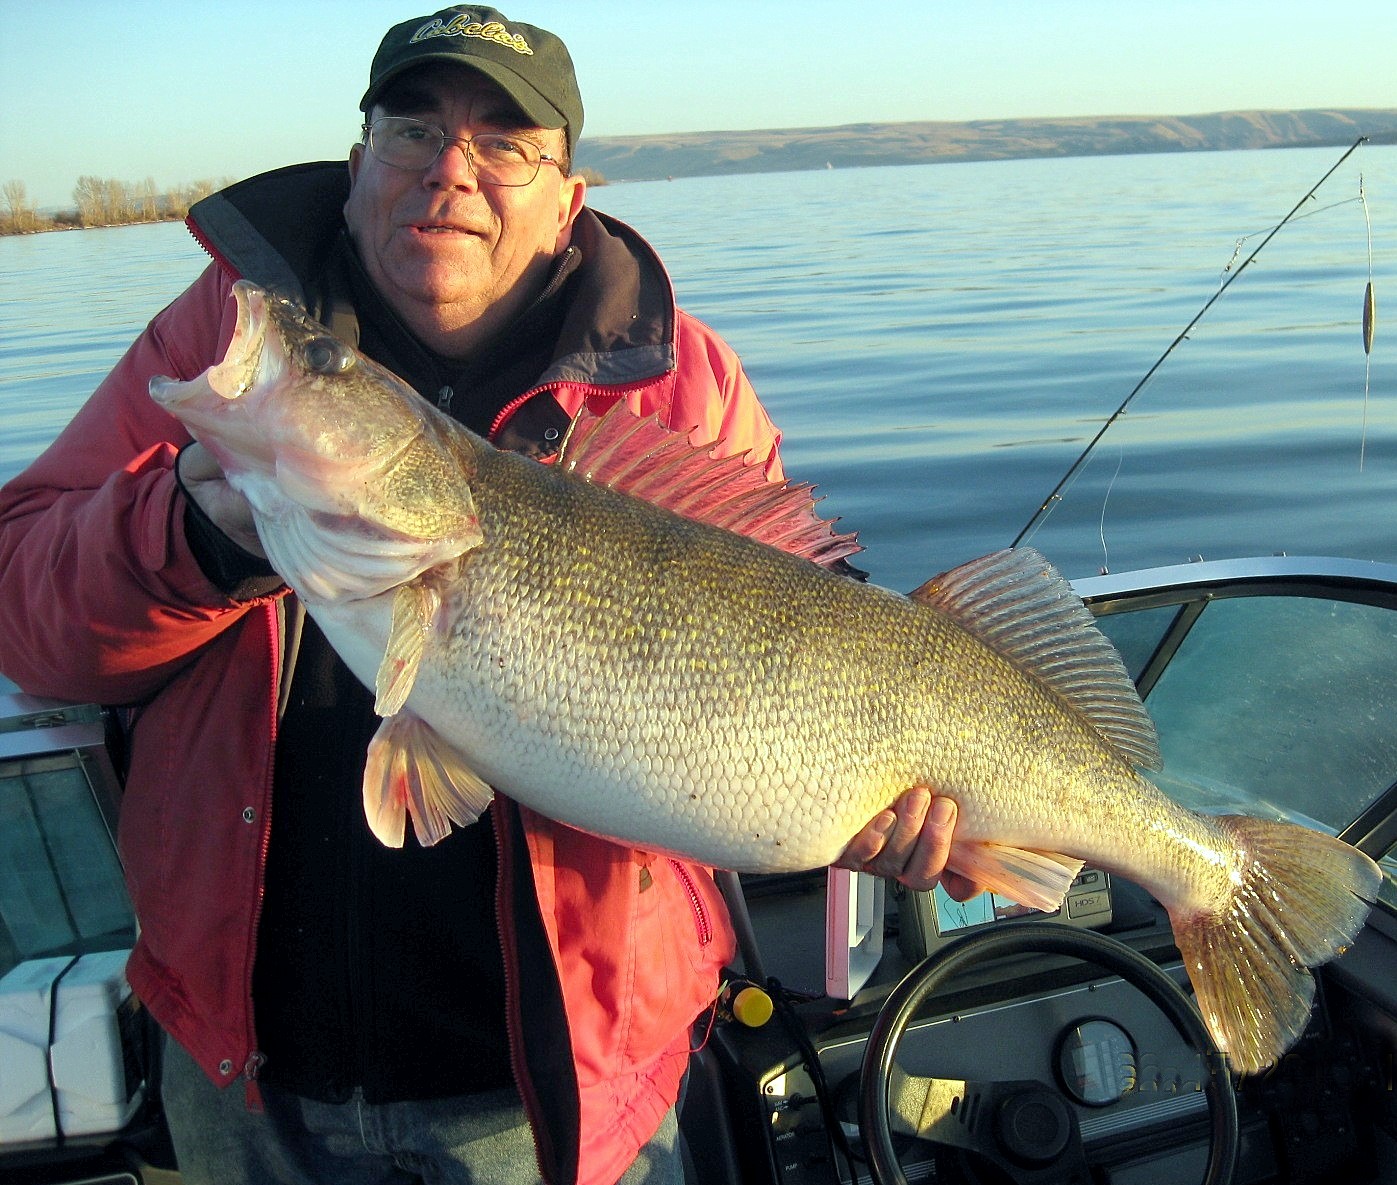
[{"x": 939, "y": 343}]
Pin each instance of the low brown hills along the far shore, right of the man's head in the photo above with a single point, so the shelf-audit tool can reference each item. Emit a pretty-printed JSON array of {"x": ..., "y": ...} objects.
[{"x": 621, "y": 159}]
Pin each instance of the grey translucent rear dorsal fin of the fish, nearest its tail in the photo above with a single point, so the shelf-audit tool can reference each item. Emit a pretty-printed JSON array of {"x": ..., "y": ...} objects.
[{"x": 1019, "y": 604}]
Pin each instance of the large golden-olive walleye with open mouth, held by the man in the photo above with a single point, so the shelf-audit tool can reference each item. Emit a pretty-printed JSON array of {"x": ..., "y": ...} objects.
[{"x": 710, "y": 688}]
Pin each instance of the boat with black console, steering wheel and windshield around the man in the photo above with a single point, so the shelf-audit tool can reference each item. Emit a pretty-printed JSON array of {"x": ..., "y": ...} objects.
[{"x": 874, "y": 1036}]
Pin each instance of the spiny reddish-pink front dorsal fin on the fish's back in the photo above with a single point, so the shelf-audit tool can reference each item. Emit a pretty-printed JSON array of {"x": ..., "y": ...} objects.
[{"x": 643, "y": 458}]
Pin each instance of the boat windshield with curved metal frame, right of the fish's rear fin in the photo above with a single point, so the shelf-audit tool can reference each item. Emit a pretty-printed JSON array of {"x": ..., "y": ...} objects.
[{"x": 1273, "y": 688}]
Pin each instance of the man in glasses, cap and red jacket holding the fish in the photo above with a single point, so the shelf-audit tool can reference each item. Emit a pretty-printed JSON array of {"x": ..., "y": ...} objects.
[{"x": 518, "y": 1000}]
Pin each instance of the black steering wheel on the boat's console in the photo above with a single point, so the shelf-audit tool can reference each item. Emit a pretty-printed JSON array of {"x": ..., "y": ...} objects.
[{"x": 1025, "y": 1128}]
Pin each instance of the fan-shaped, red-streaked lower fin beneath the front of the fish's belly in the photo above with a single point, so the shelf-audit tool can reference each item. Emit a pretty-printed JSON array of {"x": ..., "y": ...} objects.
[{"x": 413, "y": 772}]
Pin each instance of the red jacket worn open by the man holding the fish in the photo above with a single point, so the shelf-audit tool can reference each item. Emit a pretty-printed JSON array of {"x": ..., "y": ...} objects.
[{"x": 103, "y": 602}]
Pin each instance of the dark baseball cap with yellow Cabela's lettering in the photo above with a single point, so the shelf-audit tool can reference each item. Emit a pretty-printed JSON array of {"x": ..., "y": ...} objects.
[{"x": 530, "y": 65}]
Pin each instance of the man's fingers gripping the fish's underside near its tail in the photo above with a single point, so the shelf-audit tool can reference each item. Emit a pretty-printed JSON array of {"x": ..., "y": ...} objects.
[{"x": 910, "y": 843}]
